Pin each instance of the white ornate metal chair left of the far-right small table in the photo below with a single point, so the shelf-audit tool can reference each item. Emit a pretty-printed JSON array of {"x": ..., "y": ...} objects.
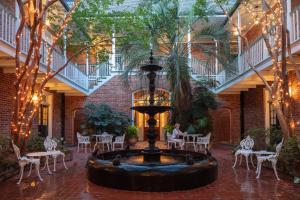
[{"x": 246, "y": 151}]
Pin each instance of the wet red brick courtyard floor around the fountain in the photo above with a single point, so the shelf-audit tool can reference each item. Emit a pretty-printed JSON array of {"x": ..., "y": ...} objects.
[{"x": 231, "y": 184}]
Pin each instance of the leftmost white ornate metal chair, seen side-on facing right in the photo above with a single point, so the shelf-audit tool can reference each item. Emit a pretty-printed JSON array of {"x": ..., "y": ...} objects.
[{"x": 23, "y": 161}]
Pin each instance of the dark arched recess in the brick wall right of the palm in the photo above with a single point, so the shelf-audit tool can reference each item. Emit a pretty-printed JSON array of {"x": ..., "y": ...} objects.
[{"x": 222, "y": 125}]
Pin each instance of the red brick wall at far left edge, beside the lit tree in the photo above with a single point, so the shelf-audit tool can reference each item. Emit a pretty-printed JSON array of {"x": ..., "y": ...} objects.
[{"x": 6, "y": 100}]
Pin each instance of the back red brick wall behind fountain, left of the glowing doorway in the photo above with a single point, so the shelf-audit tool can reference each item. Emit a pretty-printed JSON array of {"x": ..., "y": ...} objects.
[{"x": 114, "y": 93}]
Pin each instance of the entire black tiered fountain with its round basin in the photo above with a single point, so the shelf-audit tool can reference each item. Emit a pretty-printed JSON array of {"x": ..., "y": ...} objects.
[{"x": 152, "y": 169}]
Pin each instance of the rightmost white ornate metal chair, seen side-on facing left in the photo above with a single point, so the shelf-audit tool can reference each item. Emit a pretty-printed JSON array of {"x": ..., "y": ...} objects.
[{"x": 272, "y": 158}]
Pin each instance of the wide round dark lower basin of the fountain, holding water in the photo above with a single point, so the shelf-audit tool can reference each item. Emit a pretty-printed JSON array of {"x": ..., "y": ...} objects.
[{"x": 171, "y": 173}]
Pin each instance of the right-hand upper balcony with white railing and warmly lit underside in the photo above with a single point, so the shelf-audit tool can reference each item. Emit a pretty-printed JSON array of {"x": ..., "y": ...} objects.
[{"x": 258, "y": 56}]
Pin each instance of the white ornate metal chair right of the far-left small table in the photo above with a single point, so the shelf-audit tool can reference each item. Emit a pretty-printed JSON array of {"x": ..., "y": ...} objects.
[{"x": 50, "y": 146}]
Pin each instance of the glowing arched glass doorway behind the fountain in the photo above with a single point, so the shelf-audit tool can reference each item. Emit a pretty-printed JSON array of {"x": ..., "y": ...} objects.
[{"x": 141, "y": 97}]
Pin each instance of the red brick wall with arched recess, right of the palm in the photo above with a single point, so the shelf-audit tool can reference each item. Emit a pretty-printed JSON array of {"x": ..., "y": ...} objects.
[{"x": 229, "y": 111}]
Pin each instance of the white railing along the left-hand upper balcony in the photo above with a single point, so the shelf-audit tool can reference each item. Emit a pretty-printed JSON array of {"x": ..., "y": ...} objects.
[{"x": 8, "y": 24}]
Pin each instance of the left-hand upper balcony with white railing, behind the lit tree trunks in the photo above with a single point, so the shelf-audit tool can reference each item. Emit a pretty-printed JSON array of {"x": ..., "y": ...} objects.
[{"x": 71, "y": 75}]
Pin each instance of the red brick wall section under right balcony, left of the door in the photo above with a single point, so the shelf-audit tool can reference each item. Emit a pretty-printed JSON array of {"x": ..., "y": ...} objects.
[{"x": 254, "y": 112}]
